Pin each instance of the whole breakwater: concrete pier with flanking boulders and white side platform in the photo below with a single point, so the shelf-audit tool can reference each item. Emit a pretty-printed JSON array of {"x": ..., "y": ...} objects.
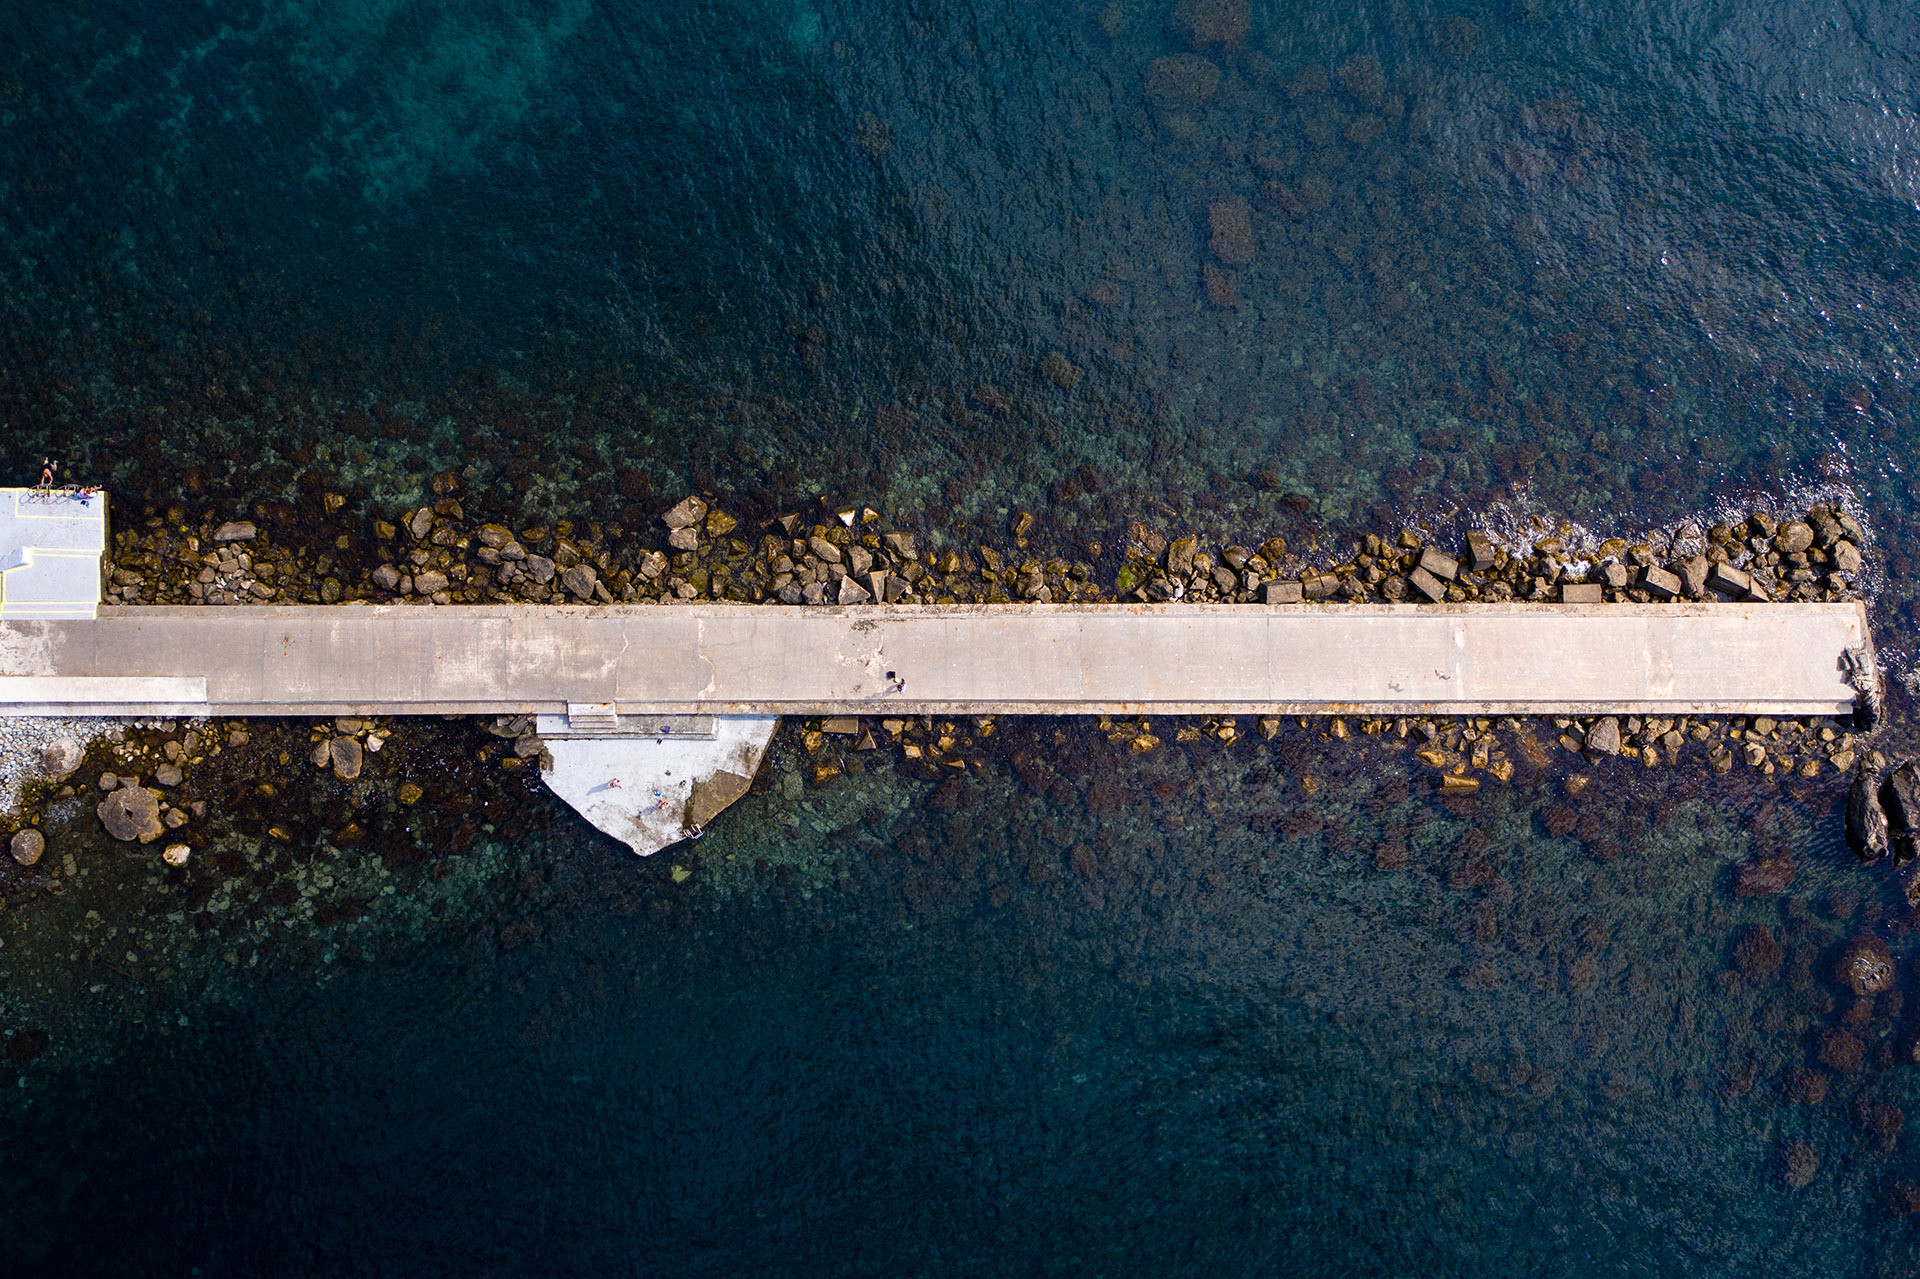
[{"x": 1124, "y": 633}]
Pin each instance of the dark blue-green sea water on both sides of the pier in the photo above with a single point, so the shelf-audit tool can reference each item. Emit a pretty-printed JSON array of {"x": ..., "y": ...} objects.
[{"x": 1614, "y": 264}]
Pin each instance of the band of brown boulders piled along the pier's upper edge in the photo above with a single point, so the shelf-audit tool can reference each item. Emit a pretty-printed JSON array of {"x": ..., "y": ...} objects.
[{"x": 441, "y": 556}]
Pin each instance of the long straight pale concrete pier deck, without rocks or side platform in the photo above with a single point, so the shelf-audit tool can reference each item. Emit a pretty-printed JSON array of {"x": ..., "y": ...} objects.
[{"x": 974, "y": 660}]
